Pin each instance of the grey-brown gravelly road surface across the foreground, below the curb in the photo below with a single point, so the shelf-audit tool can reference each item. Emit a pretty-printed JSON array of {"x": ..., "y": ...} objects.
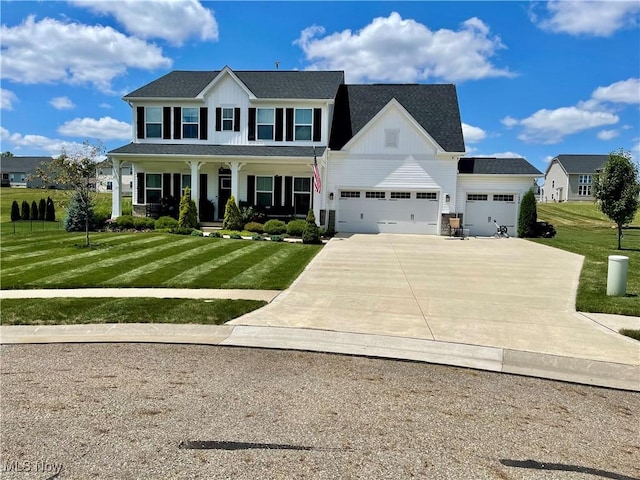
[{"x": 127, "y": 411}]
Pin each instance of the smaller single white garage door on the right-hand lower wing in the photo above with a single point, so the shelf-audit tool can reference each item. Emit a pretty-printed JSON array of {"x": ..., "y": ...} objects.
[{"x": 483, "y": 208}]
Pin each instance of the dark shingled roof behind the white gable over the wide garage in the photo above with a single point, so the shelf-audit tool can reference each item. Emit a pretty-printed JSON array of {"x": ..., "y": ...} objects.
[{"x": 434, "y": 107}]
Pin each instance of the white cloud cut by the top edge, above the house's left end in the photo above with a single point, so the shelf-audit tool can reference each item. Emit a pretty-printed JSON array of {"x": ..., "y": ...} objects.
[{"x": 174, "y": 21}]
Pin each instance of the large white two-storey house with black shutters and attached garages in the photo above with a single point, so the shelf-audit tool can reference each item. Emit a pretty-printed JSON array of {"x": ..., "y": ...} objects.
[{"x": 389, "y": 157}]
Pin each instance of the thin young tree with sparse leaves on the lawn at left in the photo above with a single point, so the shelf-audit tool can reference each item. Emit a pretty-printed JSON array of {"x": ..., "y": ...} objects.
[{"x": 75, "y": 170}]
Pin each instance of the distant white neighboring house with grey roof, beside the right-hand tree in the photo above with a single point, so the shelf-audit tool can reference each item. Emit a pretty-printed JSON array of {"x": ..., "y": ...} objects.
[{"x": 570, "y": 177}]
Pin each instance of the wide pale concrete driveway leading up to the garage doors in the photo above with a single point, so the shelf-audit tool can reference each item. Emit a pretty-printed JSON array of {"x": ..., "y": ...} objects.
[{"x": 507, "y": 293}]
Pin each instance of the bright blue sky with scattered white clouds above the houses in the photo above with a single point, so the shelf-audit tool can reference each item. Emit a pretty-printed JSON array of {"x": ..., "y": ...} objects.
[{"x": 534, "y": 79}]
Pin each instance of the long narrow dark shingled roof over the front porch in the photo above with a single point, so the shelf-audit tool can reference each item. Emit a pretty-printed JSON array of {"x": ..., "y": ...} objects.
[{"x": 217, "y": 150}]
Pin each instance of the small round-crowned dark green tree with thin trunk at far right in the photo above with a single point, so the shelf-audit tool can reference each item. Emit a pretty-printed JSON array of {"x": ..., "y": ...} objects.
[{"x": 616, "y": 189}]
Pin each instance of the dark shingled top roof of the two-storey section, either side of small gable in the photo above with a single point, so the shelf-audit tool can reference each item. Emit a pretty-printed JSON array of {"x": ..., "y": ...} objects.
[{"x": 263, "y": 84}]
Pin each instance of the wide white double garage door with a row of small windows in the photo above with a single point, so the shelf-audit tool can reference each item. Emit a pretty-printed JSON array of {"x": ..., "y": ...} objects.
[{"x": 362, "y": 211}]
